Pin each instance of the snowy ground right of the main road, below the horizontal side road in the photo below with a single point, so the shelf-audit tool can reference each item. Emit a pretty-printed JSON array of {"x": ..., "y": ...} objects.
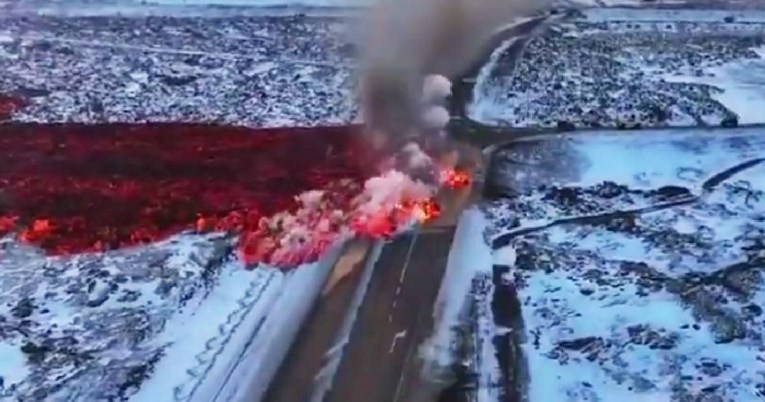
[{"x": 638, "y": 262}]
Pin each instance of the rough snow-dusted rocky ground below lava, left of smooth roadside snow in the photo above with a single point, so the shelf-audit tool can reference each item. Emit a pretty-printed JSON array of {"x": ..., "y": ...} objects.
[{"x": 70, "y": 322}]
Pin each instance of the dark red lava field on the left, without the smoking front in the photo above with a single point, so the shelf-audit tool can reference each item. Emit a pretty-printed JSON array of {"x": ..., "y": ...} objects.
[{"x": 74, "y": 188}]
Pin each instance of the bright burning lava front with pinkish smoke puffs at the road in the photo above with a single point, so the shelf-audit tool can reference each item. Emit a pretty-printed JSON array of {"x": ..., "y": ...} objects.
[{"x": 390, "y": 203}]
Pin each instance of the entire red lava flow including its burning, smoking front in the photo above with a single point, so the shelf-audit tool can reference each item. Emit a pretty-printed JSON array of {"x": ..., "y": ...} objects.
[{"x": 288, "y": 193}]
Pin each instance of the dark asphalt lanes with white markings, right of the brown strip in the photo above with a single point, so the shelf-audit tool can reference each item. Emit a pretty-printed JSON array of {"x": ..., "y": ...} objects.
[{"x": 380, "y": 362}]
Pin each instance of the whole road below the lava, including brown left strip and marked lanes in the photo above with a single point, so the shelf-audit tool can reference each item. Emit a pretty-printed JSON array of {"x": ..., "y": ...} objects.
[{"x": 393, "y": 319}]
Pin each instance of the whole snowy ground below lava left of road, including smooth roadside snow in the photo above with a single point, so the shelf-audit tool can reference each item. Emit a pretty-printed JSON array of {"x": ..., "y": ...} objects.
[{"x": 174, "y": 321}]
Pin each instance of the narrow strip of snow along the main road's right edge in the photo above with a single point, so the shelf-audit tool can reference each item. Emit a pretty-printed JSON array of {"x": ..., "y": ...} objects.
[{"x": 468, "y": 256}]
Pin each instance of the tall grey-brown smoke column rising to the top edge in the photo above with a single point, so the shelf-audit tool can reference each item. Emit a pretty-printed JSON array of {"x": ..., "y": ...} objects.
[{"x": 403, "y": 40}]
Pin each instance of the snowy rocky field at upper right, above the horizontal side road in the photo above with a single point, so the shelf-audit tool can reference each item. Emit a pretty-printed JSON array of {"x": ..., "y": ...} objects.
[{"x": 608, "y": 67}]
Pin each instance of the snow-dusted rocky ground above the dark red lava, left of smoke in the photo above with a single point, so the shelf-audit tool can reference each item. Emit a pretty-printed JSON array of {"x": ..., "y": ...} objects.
[{"x": 245, "y": 70}]
